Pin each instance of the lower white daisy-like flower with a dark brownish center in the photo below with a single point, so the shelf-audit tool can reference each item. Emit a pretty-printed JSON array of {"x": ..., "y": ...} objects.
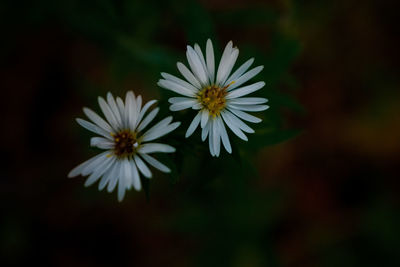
[{"x": 127, "y": 148}]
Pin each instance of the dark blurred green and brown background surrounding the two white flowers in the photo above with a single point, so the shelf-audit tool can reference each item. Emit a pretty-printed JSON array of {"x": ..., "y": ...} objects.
[{"x": 315, "y": 186}]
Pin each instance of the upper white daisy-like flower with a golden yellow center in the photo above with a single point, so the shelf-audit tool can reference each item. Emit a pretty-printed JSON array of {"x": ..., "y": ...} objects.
[{"x": 218, "y": 98}]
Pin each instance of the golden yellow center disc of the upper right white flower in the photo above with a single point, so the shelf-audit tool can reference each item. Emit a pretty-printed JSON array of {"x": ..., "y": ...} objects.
[{"x": 213, "y": 99}]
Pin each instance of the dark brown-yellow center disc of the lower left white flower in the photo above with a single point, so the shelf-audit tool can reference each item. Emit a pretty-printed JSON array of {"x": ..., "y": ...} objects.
[{"x": 125, "y": 143}]
